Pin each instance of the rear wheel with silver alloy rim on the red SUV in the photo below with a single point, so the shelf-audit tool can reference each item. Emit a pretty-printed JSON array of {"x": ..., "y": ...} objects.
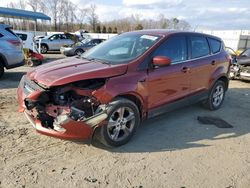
[{"x": 216, "y": 96}]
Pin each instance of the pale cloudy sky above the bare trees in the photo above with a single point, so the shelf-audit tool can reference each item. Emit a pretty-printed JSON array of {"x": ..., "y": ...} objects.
[{"x": 201, "y": 14}]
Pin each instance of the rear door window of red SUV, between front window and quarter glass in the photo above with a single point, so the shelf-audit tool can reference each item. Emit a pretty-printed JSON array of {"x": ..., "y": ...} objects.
[{"x": 199, "y": 46}]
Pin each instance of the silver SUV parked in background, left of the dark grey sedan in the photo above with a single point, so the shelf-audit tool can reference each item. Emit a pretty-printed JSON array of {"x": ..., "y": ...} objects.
[{"x": 54, "y": 42}]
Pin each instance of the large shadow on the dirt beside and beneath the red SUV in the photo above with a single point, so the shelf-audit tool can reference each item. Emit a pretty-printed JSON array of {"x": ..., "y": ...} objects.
[{"x": 180, "y": 129}]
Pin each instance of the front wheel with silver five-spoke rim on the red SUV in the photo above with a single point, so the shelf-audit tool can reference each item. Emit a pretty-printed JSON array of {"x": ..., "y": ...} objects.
[{"x": 122, "y": 122}]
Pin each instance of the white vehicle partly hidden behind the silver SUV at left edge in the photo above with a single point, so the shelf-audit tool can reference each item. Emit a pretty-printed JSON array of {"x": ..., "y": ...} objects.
[{"x": 27, "y": 38}]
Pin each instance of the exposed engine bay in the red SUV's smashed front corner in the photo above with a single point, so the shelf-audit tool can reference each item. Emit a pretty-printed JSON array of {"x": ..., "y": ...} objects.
[{"x": 57, "y": 105}]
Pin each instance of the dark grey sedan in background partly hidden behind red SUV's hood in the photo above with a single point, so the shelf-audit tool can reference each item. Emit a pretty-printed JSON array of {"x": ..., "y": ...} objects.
[{"x": 80, "y": 47}]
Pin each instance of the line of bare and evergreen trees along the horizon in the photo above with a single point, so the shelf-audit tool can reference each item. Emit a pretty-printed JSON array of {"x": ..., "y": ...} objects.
[{"x": 68, "y": 17}]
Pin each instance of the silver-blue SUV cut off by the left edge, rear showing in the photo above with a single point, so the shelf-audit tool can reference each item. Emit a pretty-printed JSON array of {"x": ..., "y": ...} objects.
[{"x": 11, "y": 54}]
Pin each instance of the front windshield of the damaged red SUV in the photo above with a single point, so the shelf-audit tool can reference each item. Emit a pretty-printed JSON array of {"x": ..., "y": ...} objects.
[{"x": 122, "y": 48}]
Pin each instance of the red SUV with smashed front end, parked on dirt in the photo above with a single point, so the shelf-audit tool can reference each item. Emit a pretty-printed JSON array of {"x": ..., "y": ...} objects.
[{"x": 111, "y": 89}]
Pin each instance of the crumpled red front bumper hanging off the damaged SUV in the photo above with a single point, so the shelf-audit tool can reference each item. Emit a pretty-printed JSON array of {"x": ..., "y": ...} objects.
[{"x": 73, "y": 130}]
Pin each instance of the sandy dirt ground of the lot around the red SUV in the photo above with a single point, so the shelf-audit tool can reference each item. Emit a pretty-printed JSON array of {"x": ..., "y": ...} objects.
[{"x": 172, "y": 150}]
